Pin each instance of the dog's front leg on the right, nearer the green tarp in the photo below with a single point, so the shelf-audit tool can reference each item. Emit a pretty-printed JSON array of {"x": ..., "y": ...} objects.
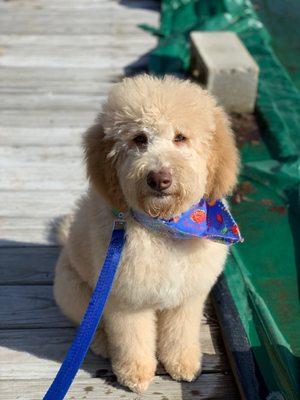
[{"x": 179, "y": 339}]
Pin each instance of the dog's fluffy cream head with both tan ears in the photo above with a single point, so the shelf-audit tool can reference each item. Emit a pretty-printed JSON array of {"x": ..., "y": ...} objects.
[{"x": 159, "y": 146}]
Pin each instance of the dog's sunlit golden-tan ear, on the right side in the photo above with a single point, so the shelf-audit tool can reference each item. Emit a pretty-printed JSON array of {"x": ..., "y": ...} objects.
[{"x": 223, "y": 160}]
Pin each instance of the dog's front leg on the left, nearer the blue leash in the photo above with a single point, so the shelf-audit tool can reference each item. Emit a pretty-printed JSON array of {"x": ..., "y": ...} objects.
[{"x": 132, "y": 346}]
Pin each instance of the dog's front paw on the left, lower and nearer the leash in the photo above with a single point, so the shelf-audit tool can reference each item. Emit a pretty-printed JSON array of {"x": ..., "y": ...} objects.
[{"x": 136, "y": 375}]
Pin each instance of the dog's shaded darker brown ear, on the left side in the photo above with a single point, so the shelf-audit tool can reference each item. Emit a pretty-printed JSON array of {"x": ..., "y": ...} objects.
[{"x": 101, "y": 170}]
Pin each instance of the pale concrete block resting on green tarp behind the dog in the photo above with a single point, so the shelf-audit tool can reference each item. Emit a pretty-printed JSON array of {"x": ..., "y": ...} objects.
[{"x": 223, "y": 64}]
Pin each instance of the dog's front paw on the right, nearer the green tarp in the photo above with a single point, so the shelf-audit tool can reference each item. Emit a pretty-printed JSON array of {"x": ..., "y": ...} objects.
[{"x": 184, "y": 366}]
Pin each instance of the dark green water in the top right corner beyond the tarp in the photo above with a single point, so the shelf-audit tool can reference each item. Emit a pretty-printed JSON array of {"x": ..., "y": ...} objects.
[{"x": 282, "y": 19}]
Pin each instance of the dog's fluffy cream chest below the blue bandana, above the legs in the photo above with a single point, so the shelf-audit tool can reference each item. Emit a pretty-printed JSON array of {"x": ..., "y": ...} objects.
[{"x": 160, "y": 272}]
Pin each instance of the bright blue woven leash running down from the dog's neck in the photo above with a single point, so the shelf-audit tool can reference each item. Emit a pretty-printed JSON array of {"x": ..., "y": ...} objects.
[{"x": 92, "y": 316}]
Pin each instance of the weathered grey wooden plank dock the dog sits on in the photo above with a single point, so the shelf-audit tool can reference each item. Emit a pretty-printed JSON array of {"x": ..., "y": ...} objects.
[{"x": 57, "y": 62}]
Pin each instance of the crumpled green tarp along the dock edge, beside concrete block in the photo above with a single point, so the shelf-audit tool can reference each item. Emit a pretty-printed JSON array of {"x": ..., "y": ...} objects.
[{"x": 263, "y": 273}]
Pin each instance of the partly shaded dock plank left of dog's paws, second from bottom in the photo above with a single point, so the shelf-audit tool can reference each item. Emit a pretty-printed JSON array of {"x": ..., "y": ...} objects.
[{"x": 37, "y": 353}]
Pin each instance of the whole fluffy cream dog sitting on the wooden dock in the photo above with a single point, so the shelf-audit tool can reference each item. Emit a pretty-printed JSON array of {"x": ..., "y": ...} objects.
[{"x": 159, "y": 145}]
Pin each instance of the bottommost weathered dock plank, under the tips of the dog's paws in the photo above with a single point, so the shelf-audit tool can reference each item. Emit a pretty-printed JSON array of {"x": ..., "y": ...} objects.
[{"x": 207, "y": 386}]
